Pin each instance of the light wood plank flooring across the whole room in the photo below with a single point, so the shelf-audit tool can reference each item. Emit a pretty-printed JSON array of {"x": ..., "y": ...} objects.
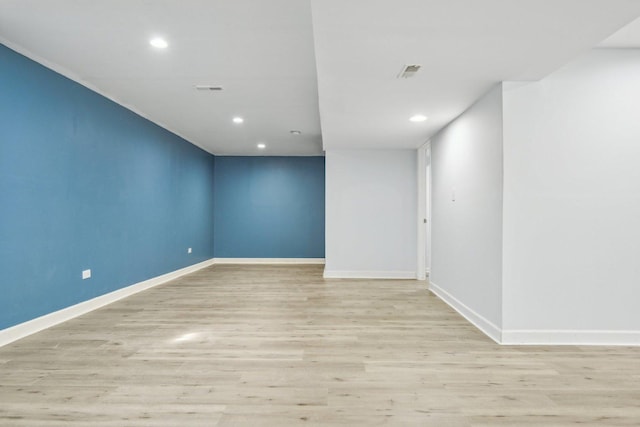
[{"x": 280, "y": 346}]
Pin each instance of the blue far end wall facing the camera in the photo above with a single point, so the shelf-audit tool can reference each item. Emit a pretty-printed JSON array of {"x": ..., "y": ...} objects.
[{"x": 269, "y": 207}]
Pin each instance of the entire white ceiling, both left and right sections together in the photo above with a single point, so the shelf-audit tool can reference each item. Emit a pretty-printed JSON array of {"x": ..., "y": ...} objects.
[{"x": 267, "y": 54}]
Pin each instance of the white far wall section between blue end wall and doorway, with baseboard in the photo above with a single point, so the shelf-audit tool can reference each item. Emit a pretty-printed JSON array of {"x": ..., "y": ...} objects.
[{"x": 371, "y": 213}]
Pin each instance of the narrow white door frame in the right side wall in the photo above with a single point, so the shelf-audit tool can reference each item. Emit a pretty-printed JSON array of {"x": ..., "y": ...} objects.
[{"x": 424, "y": 211}]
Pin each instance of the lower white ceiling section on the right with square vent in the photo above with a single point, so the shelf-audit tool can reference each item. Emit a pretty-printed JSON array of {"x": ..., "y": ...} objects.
[{"x": 465, "y": 47}]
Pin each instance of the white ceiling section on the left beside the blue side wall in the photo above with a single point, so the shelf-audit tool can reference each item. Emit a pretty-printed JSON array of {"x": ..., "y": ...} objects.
[{"x": 261, "y": 52}]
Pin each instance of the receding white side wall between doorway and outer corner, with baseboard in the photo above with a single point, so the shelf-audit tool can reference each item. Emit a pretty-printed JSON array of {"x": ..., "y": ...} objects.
[{"x": 466, "y": 165}]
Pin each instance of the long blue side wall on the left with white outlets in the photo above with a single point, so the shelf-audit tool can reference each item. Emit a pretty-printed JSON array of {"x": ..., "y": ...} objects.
[{"x": 87, "y": 184}]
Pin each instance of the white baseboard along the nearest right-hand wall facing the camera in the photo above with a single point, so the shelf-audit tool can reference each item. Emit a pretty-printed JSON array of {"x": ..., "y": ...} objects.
[{"x": 570, "y": 337}]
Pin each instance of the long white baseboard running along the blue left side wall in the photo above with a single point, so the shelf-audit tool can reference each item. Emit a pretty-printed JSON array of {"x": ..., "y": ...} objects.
[{"x": 38, "y": 324}]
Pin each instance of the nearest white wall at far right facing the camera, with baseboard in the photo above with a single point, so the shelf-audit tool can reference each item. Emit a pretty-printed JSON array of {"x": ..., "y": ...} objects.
[{"x": 572, "y": 203}]
